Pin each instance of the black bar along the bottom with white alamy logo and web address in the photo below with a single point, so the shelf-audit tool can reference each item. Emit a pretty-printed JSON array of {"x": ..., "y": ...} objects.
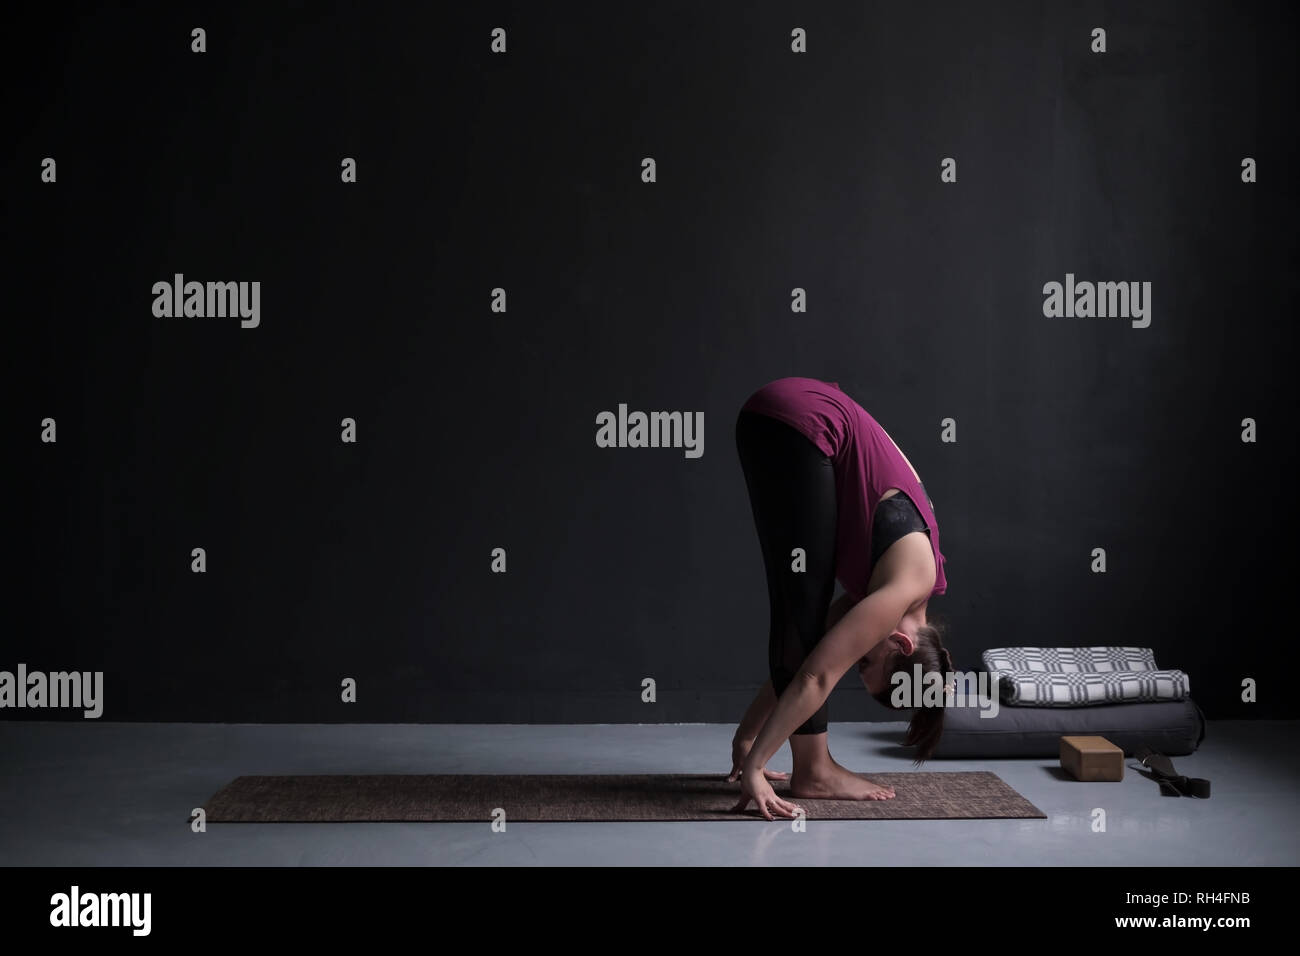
[{"x": 332, "y": 906}]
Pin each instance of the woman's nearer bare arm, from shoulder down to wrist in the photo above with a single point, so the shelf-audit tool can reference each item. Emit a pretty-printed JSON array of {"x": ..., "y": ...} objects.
[{"x": 861, "y": 629}]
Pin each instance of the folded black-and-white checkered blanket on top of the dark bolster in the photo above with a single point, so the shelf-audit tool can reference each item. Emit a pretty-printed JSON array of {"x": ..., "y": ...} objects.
[{"x": 1078, "y": 677}]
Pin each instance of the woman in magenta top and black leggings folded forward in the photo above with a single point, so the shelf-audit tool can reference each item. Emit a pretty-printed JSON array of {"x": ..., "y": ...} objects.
[{"x": 834, "y": 498}]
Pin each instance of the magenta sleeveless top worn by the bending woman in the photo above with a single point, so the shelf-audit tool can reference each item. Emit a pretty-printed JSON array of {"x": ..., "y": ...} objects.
[{"x": 866, "y": 465}]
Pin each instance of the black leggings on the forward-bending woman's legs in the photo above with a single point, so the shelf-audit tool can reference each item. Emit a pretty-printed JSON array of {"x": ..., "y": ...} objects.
[{"x": 792, "y": 495}]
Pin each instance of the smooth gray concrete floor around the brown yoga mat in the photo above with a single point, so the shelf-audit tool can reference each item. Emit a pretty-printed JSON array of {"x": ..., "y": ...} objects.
[{"x": 120, "y": 794}]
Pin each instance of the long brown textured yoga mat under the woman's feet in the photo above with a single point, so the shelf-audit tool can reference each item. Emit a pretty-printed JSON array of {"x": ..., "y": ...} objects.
[{"x": 475, "y": 798}]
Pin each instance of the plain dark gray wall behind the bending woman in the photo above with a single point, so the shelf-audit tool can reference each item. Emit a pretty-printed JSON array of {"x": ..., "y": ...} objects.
[{"x": 820, "y": 171}]
